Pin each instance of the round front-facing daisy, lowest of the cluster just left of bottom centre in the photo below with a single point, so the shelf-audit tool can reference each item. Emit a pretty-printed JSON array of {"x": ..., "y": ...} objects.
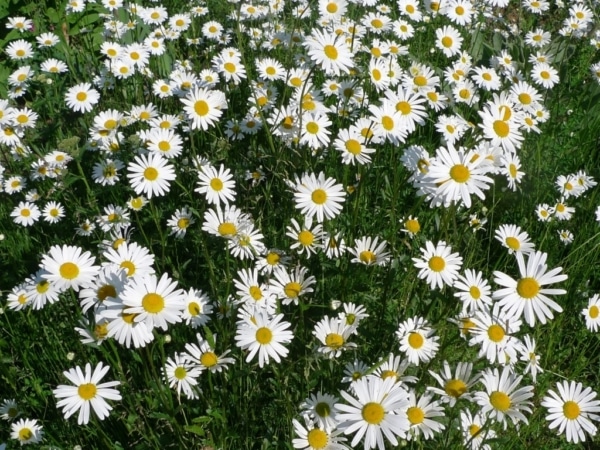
[{"x": 265, "y": 336}]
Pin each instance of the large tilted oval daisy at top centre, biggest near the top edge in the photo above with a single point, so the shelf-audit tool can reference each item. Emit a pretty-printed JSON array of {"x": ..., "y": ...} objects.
[{"x": 329, "y": 52}]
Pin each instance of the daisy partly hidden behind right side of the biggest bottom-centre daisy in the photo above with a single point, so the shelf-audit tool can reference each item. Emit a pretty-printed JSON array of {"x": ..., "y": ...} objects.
[{"x": 420, "y": 413}]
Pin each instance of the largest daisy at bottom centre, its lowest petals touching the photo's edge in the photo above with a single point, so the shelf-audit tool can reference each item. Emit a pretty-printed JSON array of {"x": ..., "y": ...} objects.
[{"x": 374, "y": 409}]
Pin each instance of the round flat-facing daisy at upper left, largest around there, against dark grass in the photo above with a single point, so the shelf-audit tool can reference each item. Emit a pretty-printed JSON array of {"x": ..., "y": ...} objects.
[{"x": 150, "y": 175}]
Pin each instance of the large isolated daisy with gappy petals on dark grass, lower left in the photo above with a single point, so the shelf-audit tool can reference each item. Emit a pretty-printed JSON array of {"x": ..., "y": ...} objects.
[{"x": 87, "y": 393}]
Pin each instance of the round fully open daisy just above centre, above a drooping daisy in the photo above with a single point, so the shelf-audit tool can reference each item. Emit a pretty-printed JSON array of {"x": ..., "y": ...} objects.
[{"x": 316, "y": 195}]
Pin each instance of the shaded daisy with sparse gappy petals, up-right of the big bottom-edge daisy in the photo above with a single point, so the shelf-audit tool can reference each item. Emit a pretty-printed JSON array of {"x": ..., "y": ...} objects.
[{"x": 457, "y": 386}]
